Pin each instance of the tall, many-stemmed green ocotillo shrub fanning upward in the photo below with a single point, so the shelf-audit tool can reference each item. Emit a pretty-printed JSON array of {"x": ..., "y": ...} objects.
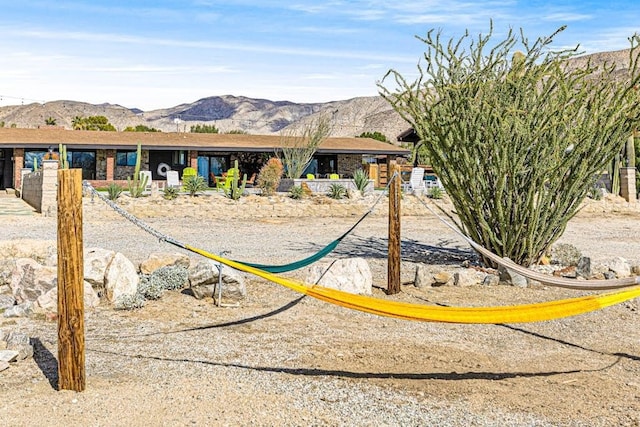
[{"x": 517, "y": 139}]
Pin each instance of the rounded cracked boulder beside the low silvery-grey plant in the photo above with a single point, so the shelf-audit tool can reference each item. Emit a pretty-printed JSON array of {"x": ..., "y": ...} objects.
[{"x": 203, "y": 280}]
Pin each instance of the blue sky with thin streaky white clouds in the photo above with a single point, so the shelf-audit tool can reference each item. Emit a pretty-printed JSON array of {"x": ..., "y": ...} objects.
[{"x": 160, "y": 53}]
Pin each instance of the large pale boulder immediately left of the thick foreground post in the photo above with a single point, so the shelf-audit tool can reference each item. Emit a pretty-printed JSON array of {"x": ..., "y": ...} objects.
[{"x": 31, "y": 279}]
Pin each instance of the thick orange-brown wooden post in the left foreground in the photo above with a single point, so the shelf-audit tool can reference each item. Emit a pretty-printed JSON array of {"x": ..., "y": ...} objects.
[{"x": 71, "y": 369}]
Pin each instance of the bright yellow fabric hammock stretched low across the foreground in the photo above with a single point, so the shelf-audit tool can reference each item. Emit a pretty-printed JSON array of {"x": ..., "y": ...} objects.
[{"x": 502, "y": 314}]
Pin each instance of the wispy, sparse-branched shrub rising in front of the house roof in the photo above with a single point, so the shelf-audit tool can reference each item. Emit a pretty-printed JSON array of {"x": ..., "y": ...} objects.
[{"x": 299, "y": 145}]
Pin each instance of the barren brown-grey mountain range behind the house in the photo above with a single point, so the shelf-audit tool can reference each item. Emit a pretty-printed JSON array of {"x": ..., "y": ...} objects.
[{"x": 255, "y": 116}]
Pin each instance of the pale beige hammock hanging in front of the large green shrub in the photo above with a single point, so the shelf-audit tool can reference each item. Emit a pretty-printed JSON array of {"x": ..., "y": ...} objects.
[{"x": 559, "y": 282}]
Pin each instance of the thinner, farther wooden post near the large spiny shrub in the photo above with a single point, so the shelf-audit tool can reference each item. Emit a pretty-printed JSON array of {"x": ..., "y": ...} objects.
[{"x": 393, "y": 263}]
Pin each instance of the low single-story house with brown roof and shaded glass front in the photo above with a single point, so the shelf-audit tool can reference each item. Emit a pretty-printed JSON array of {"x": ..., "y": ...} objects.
[{"x": 111, "y": 156}]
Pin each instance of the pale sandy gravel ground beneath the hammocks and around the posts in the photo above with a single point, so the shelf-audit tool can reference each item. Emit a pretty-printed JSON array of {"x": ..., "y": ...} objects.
[{"x": 283, "y": 359}]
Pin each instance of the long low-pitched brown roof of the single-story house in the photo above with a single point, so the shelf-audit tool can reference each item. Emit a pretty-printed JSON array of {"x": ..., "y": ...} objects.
[{"x": 74, "y": 139}]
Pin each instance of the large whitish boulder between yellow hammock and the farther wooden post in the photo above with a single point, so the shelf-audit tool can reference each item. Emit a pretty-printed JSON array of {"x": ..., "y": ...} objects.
[{"x": 351, "y": 275}]
